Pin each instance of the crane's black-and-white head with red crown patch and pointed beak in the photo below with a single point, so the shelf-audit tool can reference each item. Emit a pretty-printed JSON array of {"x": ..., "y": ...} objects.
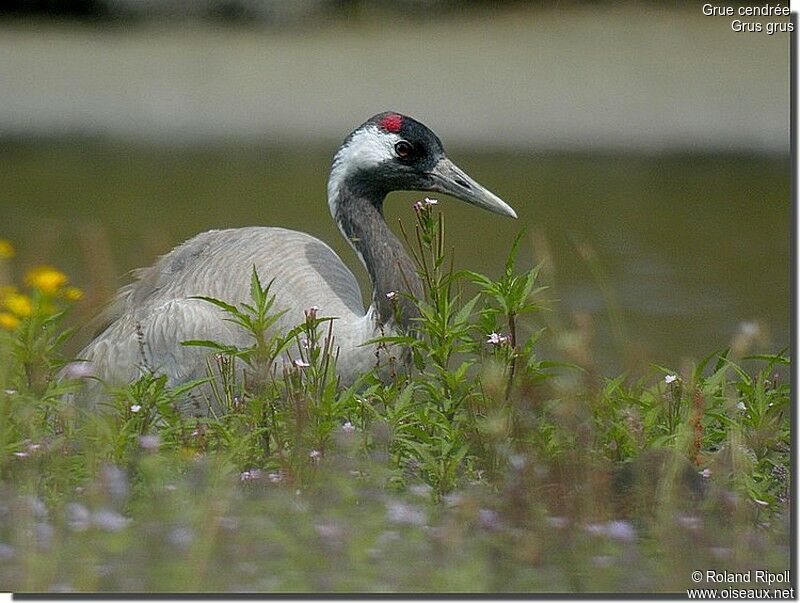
[{"x": 393, "y": 152}]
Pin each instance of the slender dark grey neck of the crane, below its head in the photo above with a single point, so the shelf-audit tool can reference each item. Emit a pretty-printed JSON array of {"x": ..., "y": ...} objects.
[{"x": 360, "y": 218}]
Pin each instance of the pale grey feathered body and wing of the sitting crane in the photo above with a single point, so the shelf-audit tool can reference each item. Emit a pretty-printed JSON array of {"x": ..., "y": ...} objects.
[{"x": 150, "y": 317}]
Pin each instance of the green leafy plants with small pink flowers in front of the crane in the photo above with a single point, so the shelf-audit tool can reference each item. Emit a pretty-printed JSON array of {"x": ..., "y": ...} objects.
[{"x": 485, "y": 468}]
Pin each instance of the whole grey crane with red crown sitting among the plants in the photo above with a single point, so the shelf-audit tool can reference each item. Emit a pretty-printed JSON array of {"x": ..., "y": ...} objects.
[{"x": 154, "y": 314}]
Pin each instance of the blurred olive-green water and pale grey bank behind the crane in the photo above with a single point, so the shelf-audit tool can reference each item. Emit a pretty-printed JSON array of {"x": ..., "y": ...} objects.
[{"x": 644, "y": 136}]
